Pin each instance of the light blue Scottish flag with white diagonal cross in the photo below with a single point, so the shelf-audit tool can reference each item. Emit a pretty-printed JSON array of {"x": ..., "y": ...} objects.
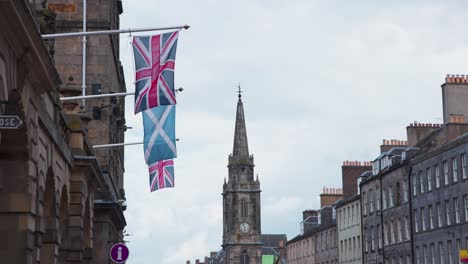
[{"x": 159, "y": 129}]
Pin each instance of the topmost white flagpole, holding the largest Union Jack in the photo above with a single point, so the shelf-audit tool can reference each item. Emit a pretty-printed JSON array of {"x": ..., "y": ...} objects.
[{"x": 109, "y": 32}]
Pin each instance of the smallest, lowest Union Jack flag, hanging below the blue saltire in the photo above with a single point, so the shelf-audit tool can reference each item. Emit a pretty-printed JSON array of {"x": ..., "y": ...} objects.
[{"x": 161, "y": 175}]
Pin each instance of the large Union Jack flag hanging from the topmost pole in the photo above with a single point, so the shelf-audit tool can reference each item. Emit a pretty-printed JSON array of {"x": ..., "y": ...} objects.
[{"x": 154, "y": 67}]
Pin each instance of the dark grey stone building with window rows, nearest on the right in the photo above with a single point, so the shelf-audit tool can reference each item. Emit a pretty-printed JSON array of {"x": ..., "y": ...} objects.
[{"x": 439, "y": 197}]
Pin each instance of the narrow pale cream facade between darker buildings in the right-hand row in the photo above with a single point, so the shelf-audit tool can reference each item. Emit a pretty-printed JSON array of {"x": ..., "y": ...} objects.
[{"x": 348, "y": 221}]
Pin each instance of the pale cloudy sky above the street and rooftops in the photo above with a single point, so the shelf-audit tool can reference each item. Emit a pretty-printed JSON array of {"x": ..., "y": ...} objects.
[{"x": 323, "y": 81}]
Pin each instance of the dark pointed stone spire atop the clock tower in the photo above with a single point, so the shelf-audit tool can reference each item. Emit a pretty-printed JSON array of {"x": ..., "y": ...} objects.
[{"x": 241, "y": 147}]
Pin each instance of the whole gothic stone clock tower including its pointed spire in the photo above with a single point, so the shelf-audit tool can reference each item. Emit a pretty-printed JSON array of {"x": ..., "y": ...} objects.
[{"x": 242, "y": 240}]
